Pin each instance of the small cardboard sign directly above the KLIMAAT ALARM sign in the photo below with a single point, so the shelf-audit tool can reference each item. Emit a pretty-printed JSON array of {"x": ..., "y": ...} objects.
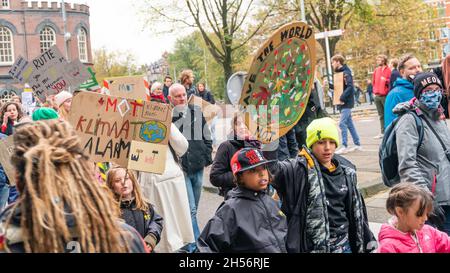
[{"x": 128, "y": 87}]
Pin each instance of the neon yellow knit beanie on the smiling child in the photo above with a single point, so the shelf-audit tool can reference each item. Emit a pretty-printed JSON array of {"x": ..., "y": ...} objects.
[{"x": 321, "y": 128}]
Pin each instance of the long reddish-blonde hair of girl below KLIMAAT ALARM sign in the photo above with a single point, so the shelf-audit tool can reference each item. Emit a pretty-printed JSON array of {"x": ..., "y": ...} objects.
[{"x": 141, "y": 203}]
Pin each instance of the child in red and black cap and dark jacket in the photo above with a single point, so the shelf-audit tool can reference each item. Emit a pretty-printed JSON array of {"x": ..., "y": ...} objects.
[{"x": 249, "y": 221}]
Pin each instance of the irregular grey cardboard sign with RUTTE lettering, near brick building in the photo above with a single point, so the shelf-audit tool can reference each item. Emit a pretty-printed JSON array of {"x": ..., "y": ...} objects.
[{"x": 49, "y": 73}]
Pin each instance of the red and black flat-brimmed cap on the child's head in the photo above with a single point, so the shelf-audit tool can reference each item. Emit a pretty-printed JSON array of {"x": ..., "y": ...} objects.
[{"x": 246, "y": 159}]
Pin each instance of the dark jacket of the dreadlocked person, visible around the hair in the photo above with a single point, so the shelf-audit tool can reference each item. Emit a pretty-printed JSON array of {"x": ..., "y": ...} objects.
[{"x": 14, "y": 241}]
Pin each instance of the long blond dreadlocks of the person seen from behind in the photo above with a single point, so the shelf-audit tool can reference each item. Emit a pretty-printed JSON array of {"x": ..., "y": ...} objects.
[{"x": 56, "y": 181}]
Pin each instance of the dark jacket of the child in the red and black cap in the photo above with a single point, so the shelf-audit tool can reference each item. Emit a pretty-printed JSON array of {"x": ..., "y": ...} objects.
[{"x": 248, "y": 222}]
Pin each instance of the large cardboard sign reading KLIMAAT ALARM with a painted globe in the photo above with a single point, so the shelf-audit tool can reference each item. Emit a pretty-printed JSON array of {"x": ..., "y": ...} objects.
[{"x": 114, "y": 125}]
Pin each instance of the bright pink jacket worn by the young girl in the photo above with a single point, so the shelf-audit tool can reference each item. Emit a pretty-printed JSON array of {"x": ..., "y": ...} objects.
[{"x": 426, "y": 240}]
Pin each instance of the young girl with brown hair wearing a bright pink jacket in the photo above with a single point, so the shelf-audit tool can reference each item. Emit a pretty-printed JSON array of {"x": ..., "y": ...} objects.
[{"x": 407, "y": 231}]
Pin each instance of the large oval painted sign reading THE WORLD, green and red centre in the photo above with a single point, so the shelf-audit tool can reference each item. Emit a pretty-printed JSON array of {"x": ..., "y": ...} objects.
[{"x": 280, "y": 80}]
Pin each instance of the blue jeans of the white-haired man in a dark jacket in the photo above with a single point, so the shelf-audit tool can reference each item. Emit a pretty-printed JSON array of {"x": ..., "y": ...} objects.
[{"x": 194, "y": 183}]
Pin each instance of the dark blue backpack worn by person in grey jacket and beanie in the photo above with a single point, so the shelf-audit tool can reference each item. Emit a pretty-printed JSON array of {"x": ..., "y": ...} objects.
[{"x": 388, "y": 151}]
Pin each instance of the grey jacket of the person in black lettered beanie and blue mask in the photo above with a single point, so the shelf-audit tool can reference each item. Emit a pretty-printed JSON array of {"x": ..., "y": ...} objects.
[{"x": 427, "y": 166}]
